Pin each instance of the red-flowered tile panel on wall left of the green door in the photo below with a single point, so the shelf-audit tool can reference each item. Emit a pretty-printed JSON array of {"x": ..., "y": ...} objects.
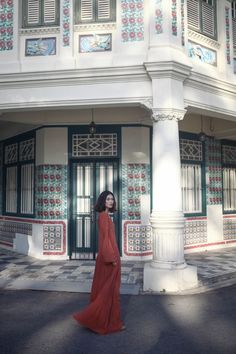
[{"x": 51, "y": 192}]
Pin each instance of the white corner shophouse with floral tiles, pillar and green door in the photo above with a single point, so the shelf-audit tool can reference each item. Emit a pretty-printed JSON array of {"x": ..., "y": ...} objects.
[{"x": 135, "y": 96}]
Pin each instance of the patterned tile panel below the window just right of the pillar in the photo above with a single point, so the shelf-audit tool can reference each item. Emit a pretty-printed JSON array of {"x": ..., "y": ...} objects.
[{"x": 195, "y": 231}]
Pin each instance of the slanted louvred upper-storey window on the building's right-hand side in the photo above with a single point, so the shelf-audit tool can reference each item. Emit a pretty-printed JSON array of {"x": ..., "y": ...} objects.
[{"x": 202, "y": 17}]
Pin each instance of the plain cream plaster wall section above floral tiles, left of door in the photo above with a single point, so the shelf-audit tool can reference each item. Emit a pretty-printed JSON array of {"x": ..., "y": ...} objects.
[{"x": 52, "y": 146}]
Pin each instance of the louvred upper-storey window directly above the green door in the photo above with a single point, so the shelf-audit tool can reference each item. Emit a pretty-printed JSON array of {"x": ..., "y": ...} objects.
[{"x": 90, "y": 11}]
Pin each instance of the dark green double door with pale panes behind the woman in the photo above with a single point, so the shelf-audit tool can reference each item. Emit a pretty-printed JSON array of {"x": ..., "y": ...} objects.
[{"x": 89, "y": 179}]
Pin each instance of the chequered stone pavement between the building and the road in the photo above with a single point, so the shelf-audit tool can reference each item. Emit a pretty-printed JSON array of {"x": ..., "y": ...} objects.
[{"x": 216, "y": 269}]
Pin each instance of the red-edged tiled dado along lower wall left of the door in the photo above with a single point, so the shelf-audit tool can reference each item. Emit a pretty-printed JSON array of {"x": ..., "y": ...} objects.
[{"x": 53, "y": 233}]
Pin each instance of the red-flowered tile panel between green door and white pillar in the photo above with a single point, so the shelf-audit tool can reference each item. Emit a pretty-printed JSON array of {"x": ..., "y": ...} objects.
[{"x": 135, "y": 182}]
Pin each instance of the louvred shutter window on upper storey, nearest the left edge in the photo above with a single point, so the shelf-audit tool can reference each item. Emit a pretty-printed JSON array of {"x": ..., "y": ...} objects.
[{"x": 40, "y": 13}]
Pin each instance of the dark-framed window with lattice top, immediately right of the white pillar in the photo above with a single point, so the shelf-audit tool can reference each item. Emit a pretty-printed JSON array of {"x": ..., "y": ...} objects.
[{"x": 192, "y": 175}]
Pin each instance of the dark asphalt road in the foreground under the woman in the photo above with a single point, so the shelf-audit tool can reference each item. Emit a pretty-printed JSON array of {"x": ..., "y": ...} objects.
[{"x": 40, "y": 322}]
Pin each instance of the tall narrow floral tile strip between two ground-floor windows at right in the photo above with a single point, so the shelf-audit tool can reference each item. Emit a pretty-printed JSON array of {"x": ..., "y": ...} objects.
[{"x": 213, "y": 172}]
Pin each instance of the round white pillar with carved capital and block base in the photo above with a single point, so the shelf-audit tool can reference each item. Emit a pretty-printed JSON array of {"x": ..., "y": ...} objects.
[{"x": 168, "y": 271}]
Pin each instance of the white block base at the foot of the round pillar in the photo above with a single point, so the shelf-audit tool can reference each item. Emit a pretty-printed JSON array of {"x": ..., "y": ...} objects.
[{"x": 169, "y": 280}]
